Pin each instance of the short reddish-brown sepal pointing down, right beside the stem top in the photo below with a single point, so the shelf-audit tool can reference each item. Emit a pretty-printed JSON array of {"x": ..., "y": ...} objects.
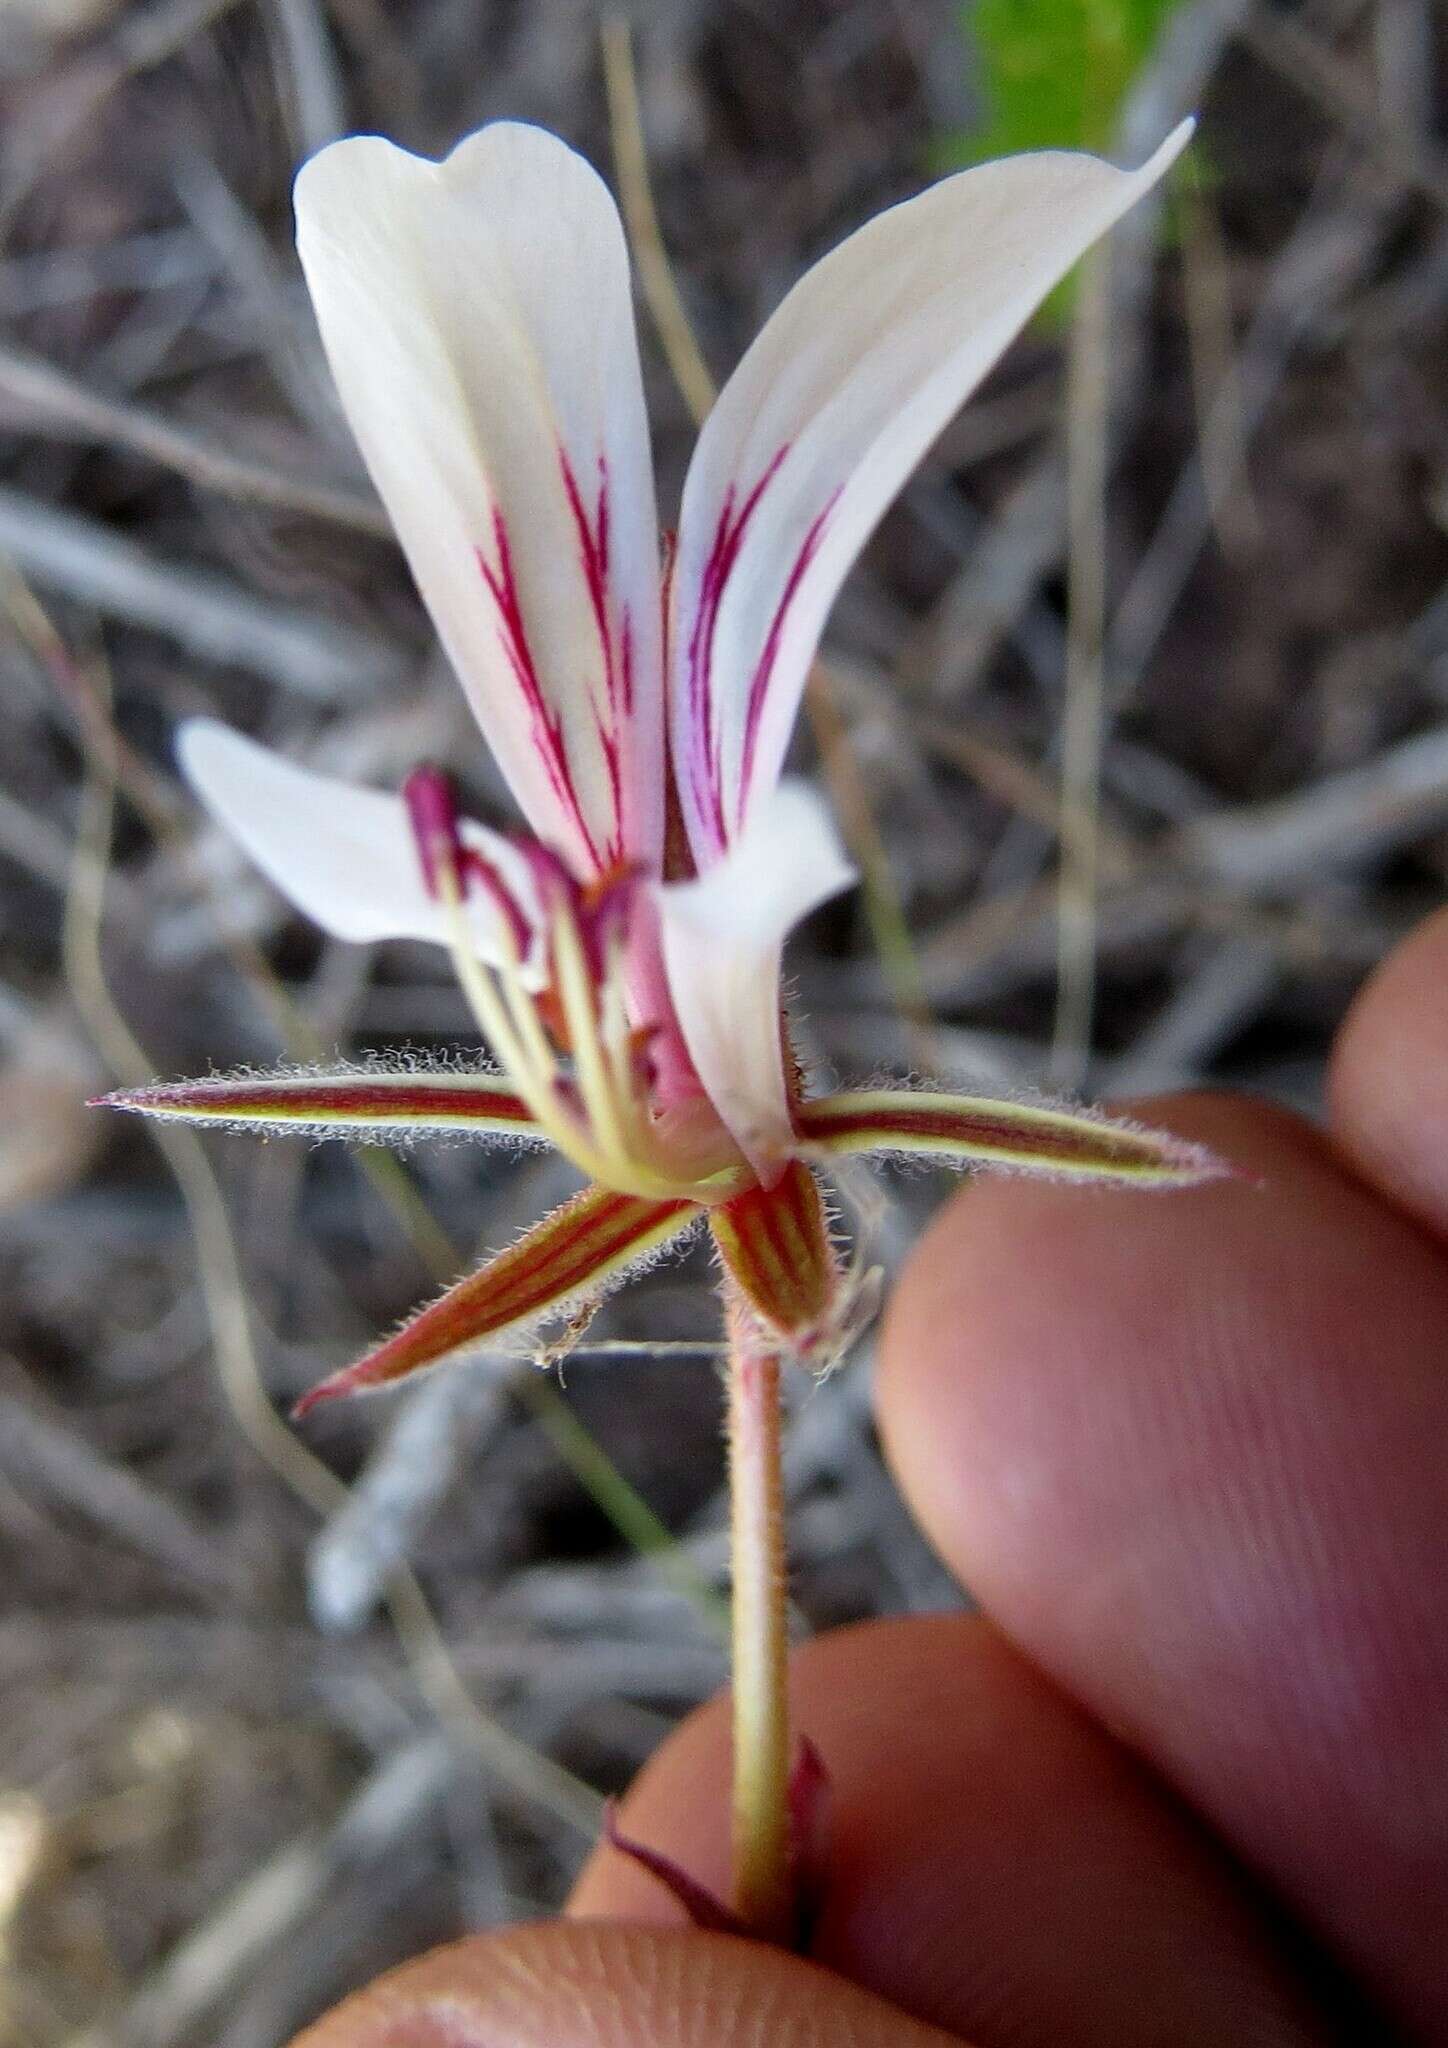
[{"x": 775, "y": 1246}]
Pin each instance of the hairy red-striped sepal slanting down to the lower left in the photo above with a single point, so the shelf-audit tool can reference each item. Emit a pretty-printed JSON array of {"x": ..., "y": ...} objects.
[{"x": 572, "y": 1256}]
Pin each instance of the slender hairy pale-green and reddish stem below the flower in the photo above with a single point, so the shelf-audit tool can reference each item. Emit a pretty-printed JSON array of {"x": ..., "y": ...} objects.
[{"x": 763, "y": 1850}]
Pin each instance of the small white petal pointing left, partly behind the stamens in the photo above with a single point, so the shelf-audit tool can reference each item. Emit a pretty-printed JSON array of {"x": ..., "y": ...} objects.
[{"x": 343, "y": 855}]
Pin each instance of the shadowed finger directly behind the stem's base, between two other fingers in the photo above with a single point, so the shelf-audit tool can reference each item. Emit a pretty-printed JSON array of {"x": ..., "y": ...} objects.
[{"x": 998, "y": 1865}]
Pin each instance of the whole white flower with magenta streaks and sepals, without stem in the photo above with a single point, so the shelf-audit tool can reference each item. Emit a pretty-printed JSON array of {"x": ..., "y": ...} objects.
[{"x": 626, "y": 966}]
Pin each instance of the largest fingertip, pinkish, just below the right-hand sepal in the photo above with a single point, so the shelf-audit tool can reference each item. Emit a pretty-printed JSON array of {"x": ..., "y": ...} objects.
[{"x": 1189, "y": 1455}]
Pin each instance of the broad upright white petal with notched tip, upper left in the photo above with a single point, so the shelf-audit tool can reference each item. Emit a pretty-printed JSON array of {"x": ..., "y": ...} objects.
[{"x": 480, "y": 329}]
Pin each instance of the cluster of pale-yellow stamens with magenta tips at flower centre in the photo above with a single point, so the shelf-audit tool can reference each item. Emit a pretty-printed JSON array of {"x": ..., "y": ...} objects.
[{"x": 554, "y": 1009}]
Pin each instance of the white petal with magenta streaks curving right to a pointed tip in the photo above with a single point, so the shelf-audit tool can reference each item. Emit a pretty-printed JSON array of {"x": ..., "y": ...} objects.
[{"x": 820, "y": 425}]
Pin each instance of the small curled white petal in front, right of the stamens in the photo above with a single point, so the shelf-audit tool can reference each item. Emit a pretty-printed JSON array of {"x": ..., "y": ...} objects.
[{"x": 724, "y": 937}]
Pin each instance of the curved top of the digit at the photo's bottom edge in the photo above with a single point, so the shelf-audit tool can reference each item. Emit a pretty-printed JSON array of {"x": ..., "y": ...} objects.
[{"x": 601, "y": 1986}]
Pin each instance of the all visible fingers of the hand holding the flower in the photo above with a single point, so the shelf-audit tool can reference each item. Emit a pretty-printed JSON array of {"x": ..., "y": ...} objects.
[{"x": 1185, "y": 1779}]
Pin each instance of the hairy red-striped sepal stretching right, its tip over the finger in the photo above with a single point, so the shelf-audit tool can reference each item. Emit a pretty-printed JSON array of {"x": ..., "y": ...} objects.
[{"x": 1021, "y": 1138}]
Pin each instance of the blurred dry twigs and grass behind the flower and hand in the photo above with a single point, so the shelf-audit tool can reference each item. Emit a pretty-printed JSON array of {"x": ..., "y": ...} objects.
[{"x": 1136, "y": 712}]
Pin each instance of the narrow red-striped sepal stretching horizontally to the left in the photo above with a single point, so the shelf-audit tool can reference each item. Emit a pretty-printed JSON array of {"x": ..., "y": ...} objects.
[{"x": 359, "y": 1103}]
